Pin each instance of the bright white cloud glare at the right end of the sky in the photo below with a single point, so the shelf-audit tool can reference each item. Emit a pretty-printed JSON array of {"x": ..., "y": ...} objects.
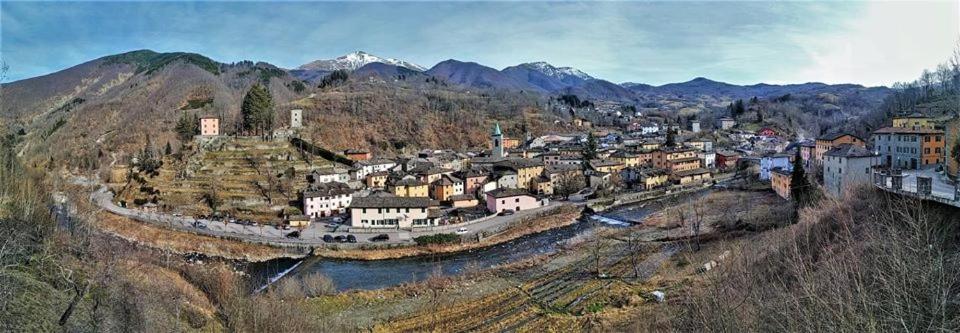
[{"x": 885, "y": 43}]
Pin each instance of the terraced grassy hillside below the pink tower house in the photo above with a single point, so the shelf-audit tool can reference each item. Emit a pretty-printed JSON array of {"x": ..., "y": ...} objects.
[{"x": 246, "y": 177}]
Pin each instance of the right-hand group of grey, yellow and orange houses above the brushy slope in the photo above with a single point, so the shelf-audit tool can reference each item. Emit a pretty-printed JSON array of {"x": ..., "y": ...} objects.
[{"x": 846, "y": 161}]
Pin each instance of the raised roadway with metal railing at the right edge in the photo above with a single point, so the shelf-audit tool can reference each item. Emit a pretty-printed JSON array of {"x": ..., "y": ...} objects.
[{"x": 924, "y": 184}]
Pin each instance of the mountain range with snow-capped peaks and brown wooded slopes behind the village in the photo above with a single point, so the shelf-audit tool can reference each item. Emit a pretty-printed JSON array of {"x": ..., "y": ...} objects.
[{"x": 117, "y": 101}]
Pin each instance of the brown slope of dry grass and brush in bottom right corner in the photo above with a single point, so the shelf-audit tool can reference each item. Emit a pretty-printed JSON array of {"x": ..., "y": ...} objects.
[{"x": 869, "y": 262}]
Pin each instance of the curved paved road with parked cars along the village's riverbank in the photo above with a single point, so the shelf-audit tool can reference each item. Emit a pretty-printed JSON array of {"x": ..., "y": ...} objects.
[{"x": 311, "y": 235}]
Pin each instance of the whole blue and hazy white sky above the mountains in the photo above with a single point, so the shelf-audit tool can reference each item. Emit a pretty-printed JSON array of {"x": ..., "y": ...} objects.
[{"x": 869, "y": 43}]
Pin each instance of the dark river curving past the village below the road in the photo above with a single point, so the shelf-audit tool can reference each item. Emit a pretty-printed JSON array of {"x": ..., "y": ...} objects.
[{"x": 362, "y": 274}]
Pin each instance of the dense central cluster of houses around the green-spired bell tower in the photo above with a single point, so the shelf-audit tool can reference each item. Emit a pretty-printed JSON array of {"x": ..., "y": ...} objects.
[{"x": 420, "y": 190}]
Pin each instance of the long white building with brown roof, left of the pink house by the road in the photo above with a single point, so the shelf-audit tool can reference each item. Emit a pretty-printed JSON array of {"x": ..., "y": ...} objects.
[{"x": 393, "y": 212}]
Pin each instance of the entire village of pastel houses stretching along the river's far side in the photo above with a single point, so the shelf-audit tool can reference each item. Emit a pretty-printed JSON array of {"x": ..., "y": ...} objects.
[{"x": 354, "y": 196}]
